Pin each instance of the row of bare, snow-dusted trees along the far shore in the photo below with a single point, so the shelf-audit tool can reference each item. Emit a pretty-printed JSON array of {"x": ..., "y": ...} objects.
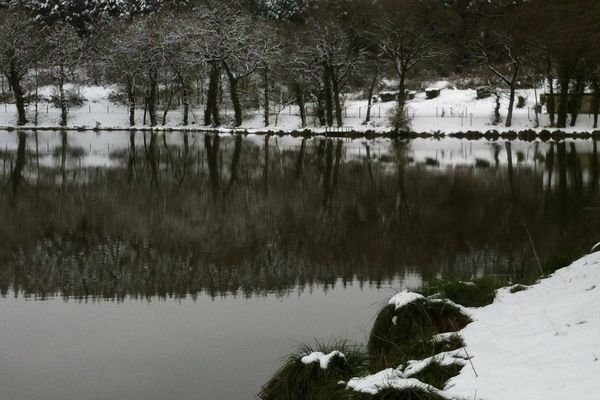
[{"x": 269, "y": 54}]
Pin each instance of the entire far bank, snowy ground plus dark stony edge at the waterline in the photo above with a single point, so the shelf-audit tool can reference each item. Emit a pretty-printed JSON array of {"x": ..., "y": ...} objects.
[{"x": 455, "y": 113}]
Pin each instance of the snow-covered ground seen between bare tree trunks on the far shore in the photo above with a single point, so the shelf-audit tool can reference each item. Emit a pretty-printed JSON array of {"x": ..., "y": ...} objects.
[{"x": 453, "y": 111}]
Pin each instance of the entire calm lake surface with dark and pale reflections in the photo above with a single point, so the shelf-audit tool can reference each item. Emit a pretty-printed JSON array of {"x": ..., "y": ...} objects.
[{"x": 151, "y": 266}]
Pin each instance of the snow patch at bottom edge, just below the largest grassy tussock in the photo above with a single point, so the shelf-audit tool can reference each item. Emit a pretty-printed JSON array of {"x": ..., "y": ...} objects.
[{"x": 389, "y": 378}]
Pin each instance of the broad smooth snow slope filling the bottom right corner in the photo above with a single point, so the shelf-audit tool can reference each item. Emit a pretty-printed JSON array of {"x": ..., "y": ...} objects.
[{"x": 540, "y": 343}]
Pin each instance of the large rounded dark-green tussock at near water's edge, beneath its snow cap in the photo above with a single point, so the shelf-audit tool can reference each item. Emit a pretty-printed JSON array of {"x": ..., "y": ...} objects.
[{"x": 400, "y": 335}]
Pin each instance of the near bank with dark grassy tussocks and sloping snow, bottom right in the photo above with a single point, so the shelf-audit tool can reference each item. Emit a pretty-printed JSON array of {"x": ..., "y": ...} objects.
[{"x": 538, "y": 341}]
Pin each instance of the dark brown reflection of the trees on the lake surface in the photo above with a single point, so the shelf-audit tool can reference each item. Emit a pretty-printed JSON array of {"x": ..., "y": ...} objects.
[{"x": 233, "y": 216}]
